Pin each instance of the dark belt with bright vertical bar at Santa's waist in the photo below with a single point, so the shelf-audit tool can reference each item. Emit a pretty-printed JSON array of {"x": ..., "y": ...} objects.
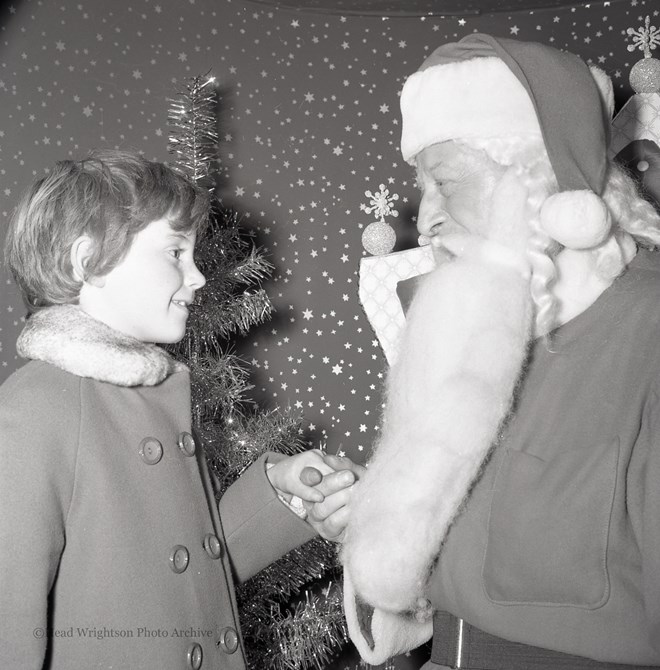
[{"x": 457, "y": 644}]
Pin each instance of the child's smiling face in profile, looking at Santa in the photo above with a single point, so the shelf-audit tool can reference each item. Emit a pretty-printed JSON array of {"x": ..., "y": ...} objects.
[{"x": 147, "y": 294}]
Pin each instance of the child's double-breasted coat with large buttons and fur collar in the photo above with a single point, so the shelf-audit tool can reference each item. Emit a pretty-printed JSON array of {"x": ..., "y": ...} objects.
[{"x": 108, "y": 529}]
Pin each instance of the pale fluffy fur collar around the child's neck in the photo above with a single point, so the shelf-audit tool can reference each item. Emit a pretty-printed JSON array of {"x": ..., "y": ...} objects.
[{"x": 68, "y": 338}]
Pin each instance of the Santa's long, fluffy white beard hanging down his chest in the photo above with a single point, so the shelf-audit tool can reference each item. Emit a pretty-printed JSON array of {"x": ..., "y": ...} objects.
[{"x": 447, "y": 395}]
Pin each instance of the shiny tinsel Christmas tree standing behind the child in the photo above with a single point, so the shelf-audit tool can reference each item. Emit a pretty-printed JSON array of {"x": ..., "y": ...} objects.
[{"x": 291, "y": 613}]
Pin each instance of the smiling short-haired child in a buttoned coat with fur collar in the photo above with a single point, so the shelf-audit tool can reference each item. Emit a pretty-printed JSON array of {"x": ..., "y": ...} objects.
[{"x": 113, "y": 553}]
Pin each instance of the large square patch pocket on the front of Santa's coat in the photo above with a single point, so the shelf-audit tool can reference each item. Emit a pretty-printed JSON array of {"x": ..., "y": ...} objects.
[{"x": 549, "y": 526}]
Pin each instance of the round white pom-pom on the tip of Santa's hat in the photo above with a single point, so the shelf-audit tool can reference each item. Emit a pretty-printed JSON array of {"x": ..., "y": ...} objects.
[{"x": 576, "y": 219}]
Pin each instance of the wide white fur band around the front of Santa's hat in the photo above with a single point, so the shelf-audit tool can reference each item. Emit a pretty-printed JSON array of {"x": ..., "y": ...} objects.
[{"x": 476, "y": 98}]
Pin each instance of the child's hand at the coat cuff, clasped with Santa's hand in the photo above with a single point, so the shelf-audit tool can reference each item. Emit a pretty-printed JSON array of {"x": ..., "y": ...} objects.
[{"x": 294, "y": 476}]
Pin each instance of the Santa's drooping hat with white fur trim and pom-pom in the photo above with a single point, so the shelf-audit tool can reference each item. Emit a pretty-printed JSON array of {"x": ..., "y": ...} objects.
[{"x": 485, "y": 87}]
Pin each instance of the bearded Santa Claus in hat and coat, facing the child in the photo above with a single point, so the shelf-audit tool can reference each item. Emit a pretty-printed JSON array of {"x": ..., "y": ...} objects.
[{"x": 510, "y": 509}]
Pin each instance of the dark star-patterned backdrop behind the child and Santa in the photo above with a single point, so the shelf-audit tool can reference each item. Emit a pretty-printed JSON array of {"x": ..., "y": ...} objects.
[{"x": 309, "y": 121}]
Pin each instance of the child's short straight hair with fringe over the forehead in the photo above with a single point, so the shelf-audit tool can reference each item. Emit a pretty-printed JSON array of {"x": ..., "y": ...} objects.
[{"x": 109, "y": 196}]
